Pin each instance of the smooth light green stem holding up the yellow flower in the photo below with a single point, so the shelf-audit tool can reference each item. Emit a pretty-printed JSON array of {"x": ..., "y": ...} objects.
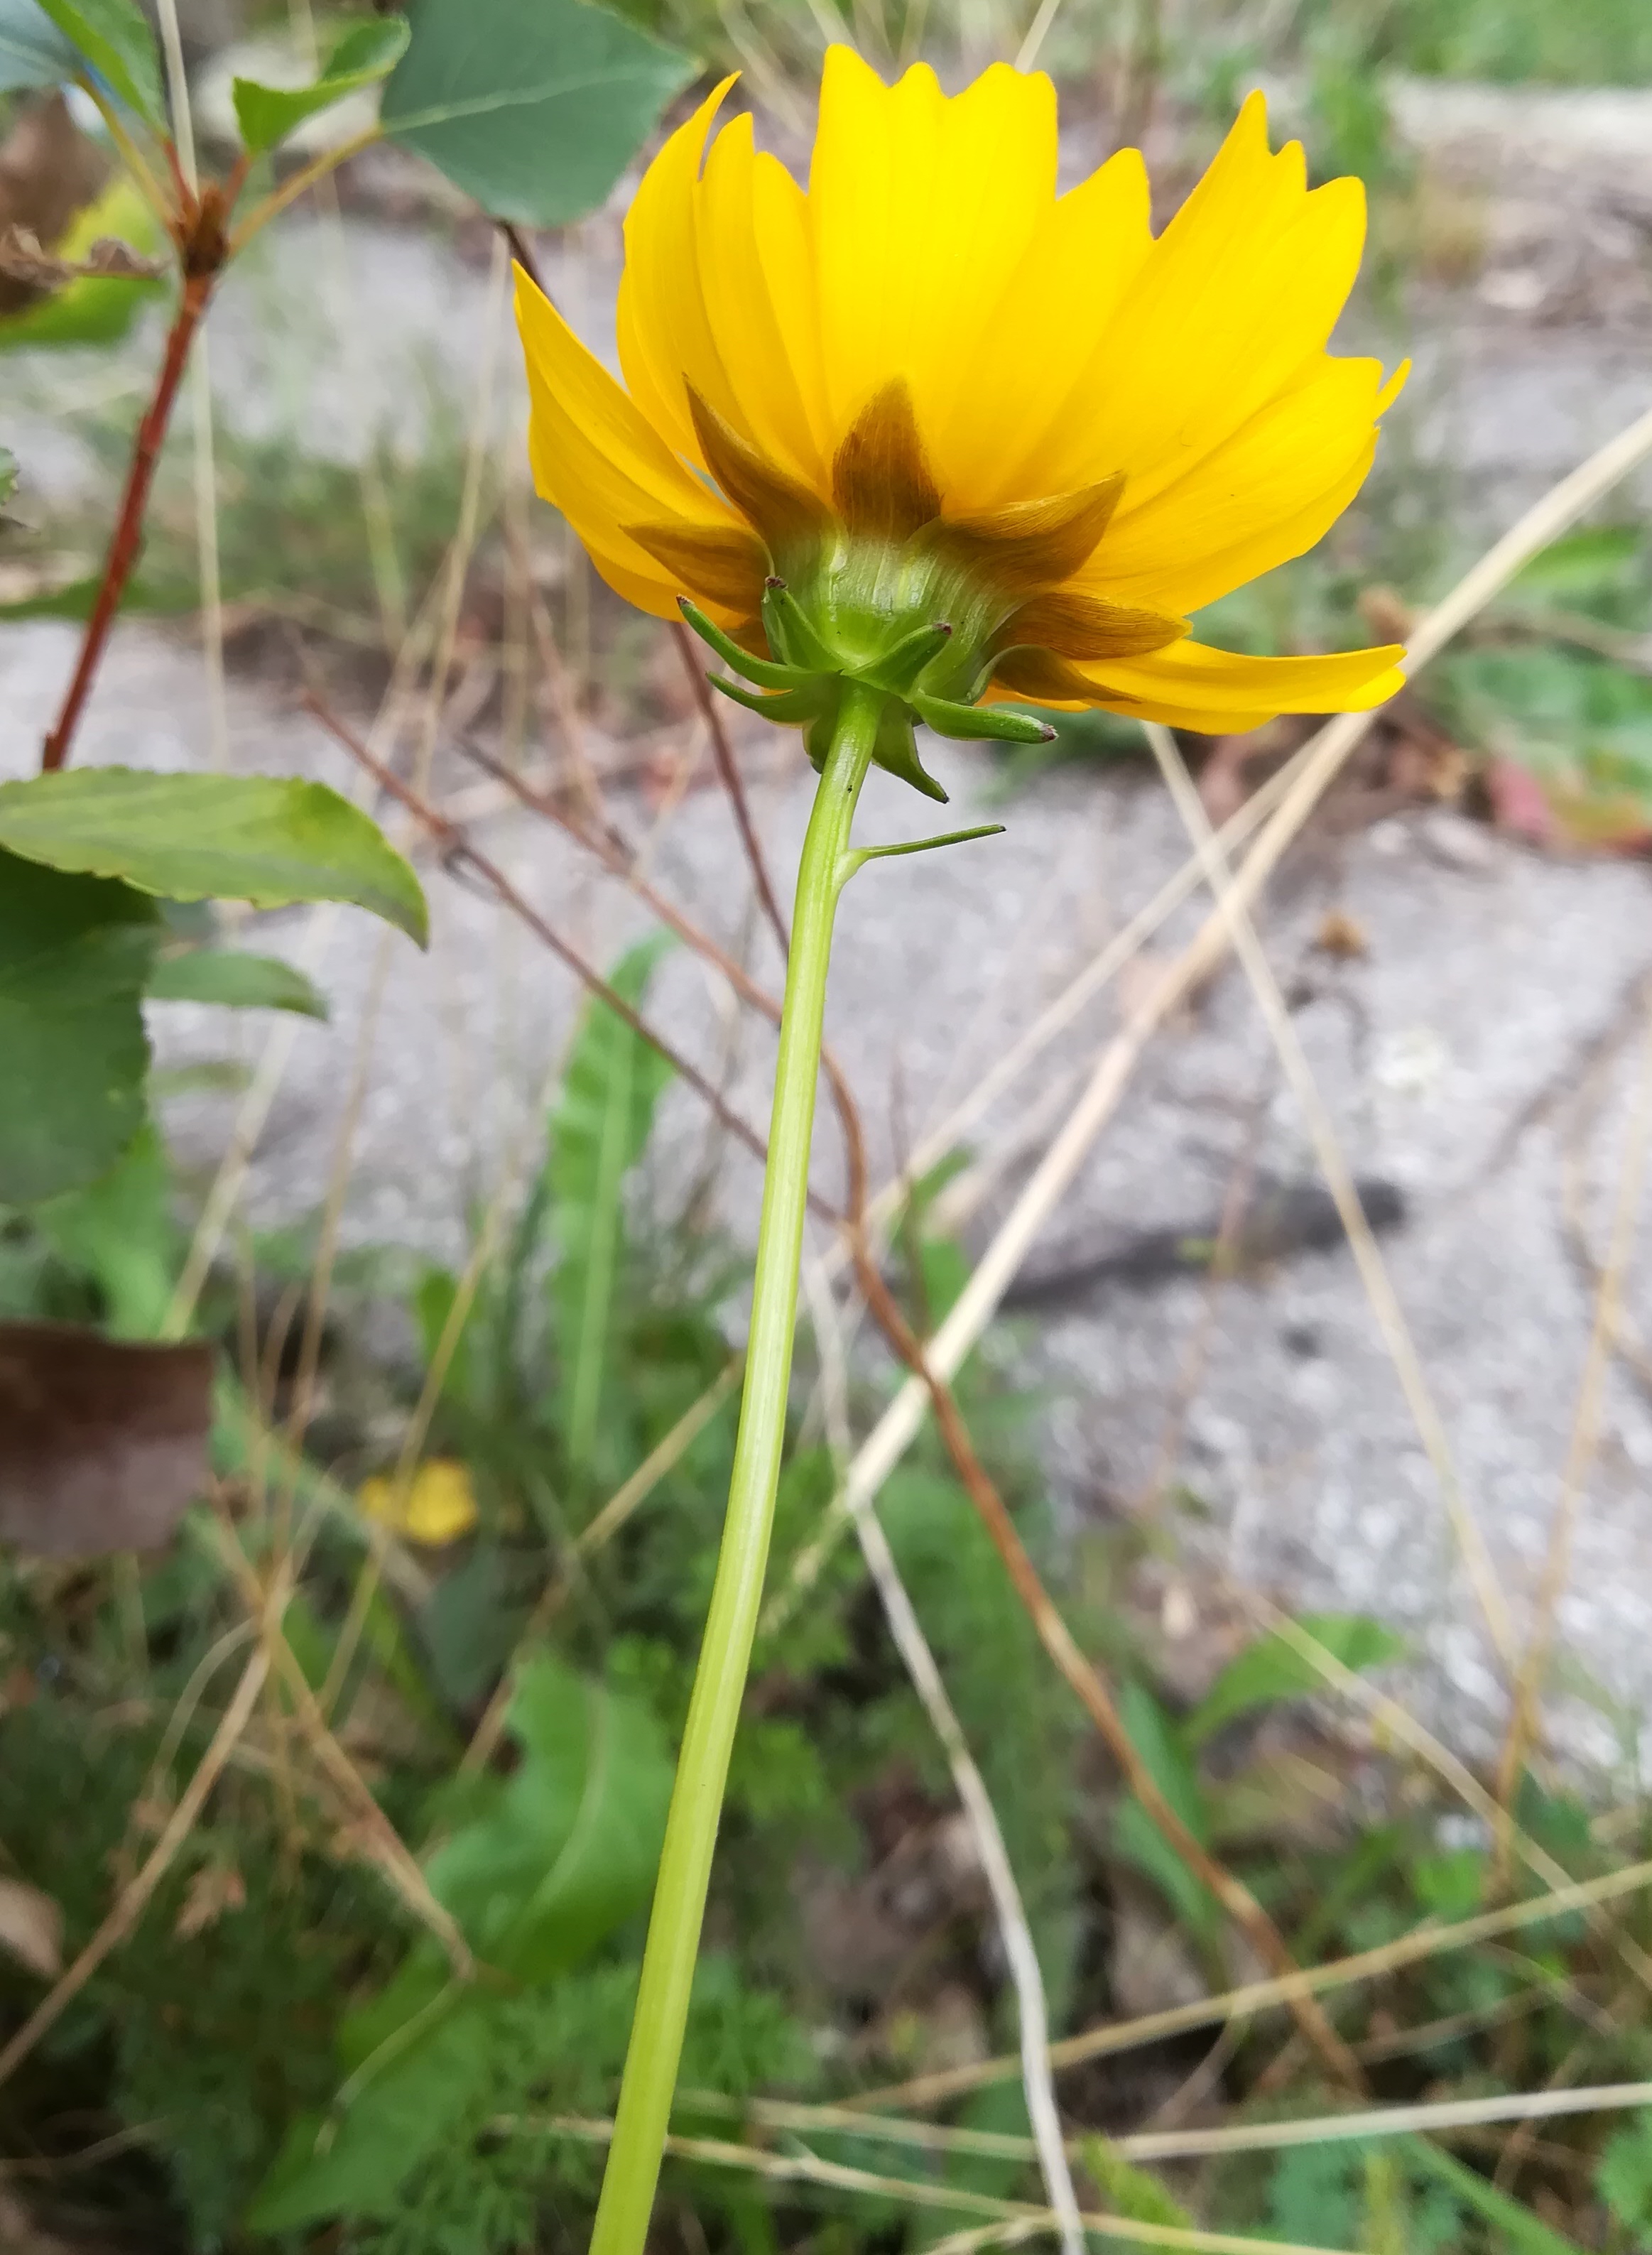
[{"x": 720, "y": 1683}]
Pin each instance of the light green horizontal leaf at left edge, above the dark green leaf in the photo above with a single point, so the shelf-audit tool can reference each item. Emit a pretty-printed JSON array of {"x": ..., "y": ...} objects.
[{"x": 213, "y": 838}]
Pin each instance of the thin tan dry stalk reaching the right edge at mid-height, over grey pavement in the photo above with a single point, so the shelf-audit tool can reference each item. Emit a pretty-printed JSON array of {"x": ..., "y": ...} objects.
[{"x": 1581, "y": 1451}]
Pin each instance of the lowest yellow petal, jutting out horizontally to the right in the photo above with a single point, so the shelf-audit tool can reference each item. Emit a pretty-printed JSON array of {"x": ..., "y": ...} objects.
[{"x": 1193, "y": 687}]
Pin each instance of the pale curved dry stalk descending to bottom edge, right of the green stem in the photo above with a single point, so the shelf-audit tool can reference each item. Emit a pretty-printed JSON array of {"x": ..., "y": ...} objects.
[{"x": 970, "y": 1785}]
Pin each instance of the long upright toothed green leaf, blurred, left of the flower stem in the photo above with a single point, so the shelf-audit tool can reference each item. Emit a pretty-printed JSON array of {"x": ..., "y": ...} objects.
[{"x": 603, "y": 1120}]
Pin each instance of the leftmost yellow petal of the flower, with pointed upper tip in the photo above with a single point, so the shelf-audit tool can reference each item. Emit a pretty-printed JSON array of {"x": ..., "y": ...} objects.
[{"x": 598, "y": 461}]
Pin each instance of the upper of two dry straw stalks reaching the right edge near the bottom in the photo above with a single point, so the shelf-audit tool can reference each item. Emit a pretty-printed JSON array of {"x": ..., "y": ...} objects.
[{"x": 1428, "y": 1940}]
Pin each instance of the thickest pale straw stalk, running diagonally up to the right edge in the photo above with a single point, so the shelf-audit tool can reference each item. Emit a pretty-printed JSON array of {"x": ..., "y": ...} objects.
[{"x": 977, "y": 1305}]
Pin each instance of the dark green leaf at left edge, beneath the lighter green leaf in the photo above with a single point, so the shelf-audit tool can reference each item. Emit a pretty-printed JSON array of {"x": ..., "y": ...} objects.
[{"x": 73, "y": 964}]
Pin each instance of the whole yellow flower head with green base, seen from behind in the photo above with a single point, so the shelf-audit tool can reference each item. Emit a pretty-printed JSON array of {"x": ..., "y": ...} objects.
[{"x": 934, "y": 427}]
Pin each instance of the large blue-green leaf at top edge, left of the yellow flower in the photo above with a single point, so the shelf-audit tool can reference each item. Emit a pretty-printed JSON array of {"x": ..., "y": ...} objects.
[{"x": 535, "y": 118}]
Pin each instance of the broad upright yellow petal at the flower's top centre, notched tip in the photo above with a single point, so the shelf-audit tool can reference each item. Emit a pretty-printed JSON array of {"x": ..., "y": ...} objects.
[{"x": 921, "y": 211}]
